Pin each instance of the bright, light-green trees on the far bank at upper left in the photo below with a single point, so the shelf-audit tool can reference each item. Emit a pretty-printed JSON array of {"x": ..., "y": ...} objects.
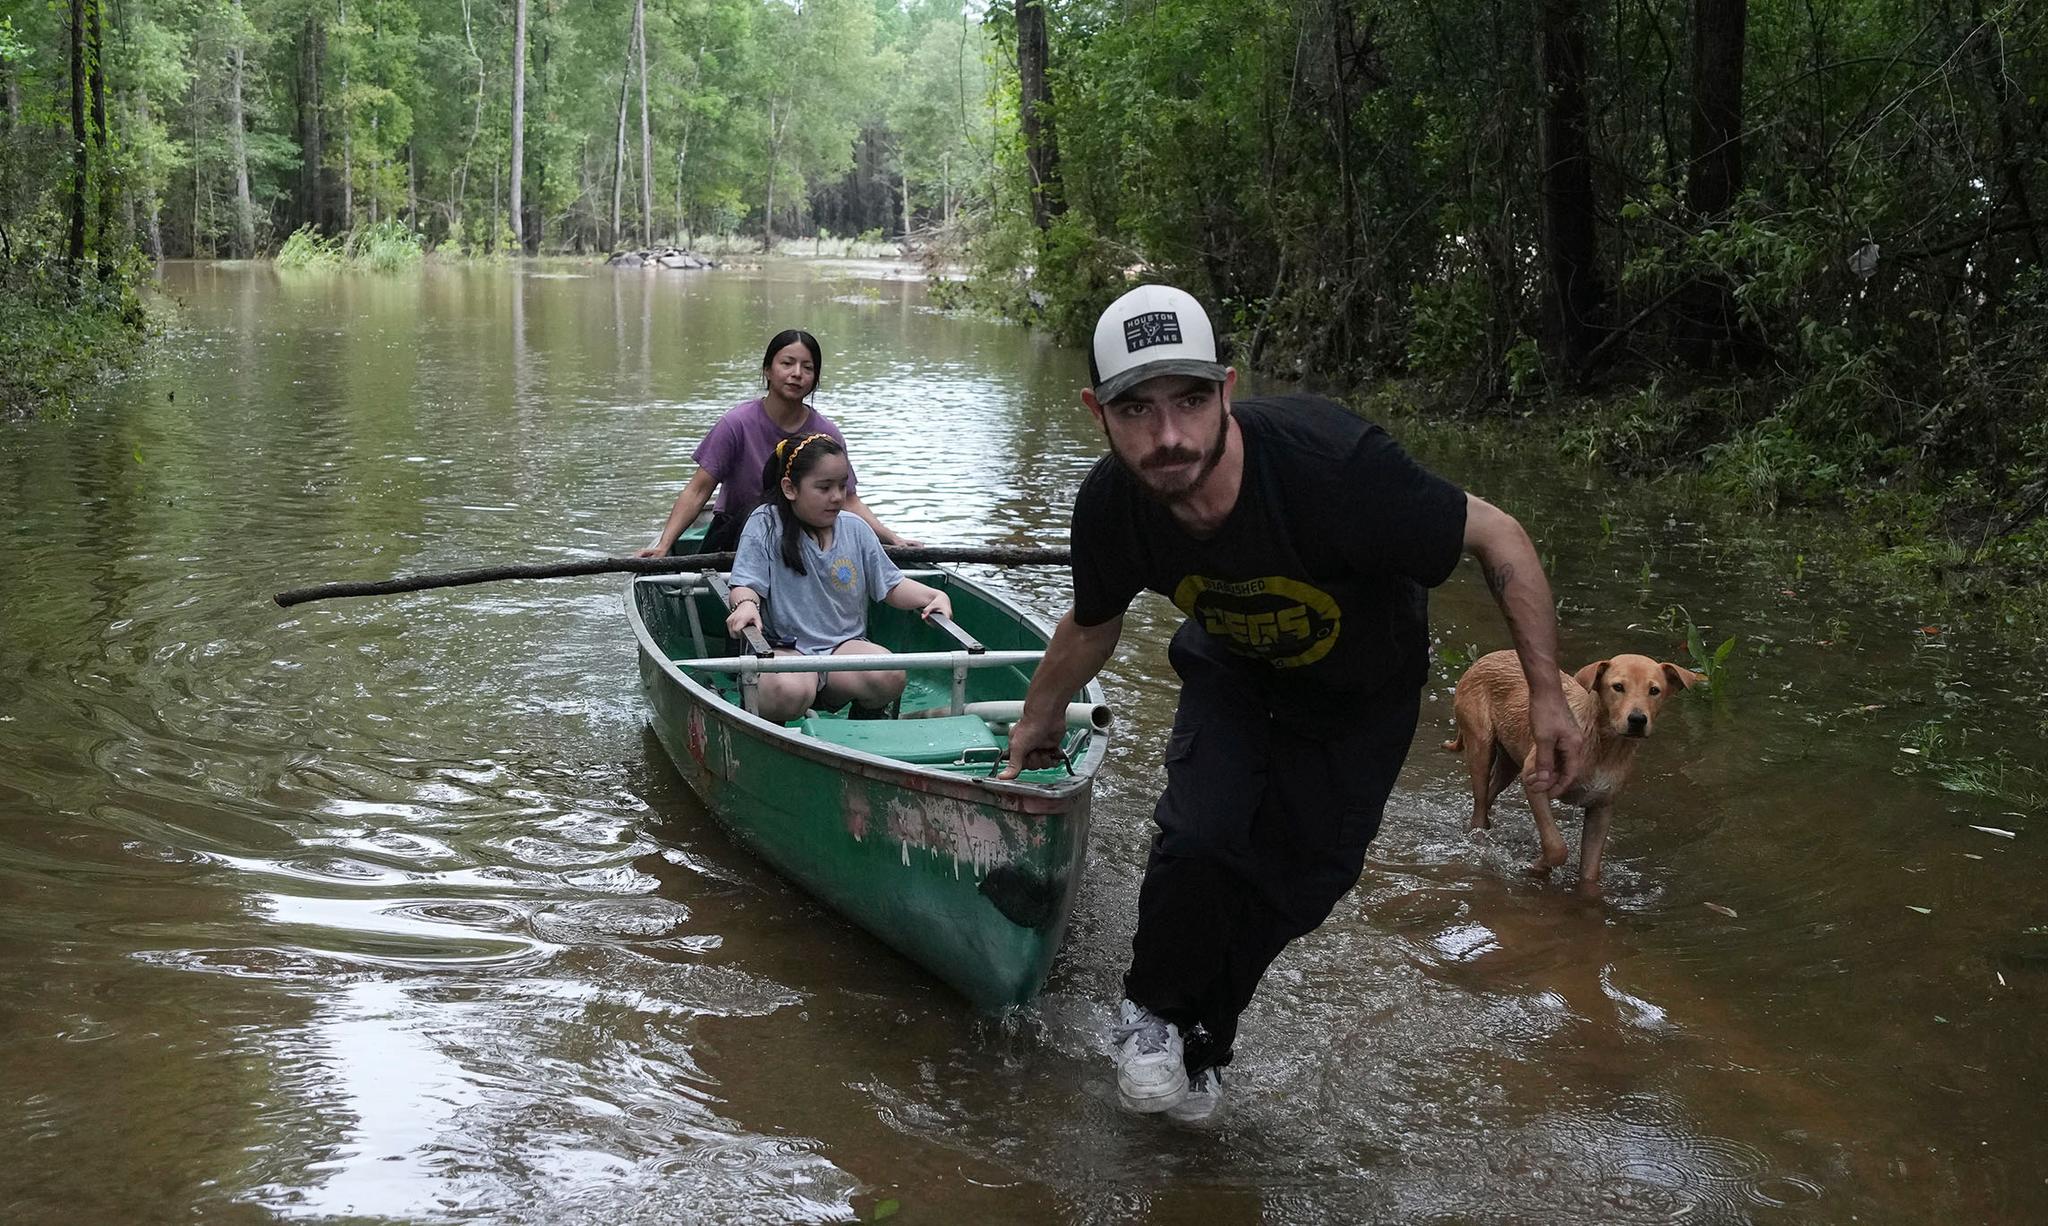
[{"x": 234, "y": 124}]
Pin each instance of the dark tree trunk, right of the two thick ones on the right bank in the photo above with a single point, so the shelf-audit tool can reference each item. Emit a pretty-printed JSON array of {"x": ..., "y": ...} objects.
[{"x": 1707, "y": 318}]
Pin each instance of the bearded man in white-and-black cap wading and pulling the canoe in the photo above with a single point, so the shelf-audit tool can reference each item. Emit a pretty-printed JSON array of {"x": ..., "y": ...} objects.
[{"x": 1299, "y": 541}]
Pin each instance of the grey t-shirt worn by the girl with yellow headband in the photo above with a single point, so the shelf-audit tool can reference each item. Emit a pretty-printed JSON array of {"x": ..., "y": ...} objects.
[{"x": 828, "y": 605}]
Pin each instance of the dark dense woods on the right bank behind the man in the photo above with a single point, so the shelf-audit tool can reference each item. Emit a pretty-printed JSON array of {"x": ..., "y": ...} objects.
[{"x": 1803, "y": 247}]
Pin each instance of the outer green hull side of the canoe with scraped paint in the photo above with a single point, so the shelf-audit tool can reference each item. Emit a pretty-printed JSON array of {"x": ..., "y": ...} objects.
[{"x": 964, "y": 877}]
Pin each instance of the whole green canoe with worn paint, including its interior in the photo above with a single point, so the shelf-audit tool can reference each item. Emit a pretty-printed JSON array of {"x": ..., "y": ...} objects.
[{"x": 894, "y": 824}]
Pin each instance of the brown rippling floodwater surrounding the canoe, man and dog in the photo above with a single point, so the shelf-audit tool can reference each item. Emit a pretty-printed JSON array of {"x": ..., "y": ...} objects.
[{"x": 394, "y": 910}]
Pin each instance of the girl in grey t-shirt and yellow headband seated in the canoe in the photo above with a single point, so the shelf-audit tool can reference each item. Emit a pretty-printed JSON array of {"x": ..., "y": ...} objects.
[{"x": 818, "y": 566}]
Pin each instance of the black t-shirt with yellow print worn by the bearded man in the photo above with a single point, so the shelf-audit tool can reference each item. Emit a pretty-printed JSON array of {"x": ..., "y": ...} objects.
[{"x": 1314, "y": 588}]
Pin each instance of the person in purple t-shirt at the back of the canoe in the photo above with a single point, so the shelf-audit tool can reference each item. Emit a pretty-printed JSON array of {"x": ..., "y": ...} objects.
[{"x": 738, "y": 445}]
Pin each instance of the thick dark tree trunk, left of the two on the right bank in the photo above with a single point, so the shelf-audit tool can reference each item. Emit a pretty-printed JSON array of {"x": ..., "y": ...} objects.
[{"x": 1572, "y": 245}]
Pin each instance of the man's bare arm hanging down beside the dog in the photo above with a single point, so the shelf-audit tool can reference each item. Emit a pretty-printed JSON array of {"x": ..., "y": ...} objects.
[{"x": 1514, "y": 576}]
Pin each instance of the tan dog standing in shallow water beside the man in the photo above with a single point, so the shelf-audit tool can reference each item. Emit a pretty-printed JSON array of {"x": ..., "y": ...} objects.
[{"x": 1615, "y": 703}]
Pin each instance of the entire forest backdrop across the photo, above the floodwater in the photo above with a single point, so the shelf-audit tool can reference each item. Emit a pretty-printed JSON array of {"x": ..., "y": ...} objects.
[{"x": 1799, "y": 249}]
